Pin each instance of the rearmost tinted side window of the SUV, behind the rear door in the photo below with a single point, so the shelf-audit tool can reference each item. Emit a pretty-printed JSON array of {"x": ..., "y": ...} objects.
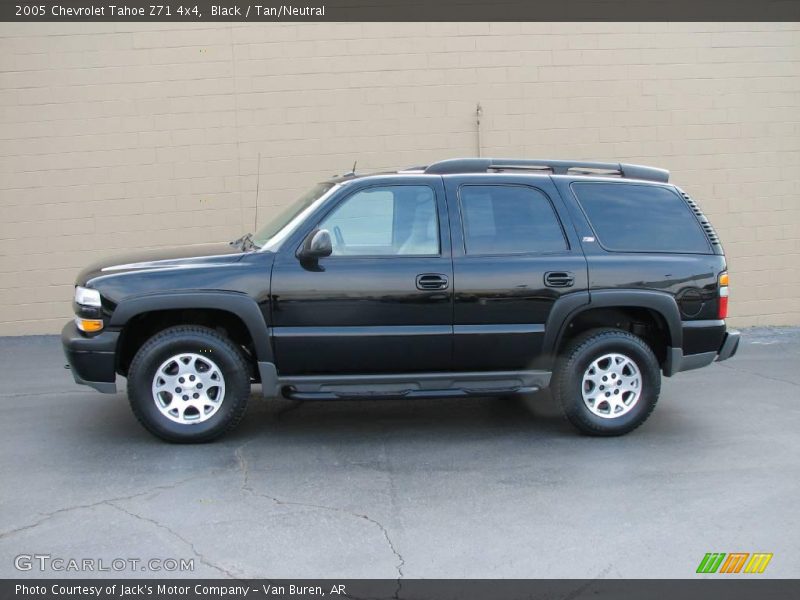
[{"x": 640, "y": 218}]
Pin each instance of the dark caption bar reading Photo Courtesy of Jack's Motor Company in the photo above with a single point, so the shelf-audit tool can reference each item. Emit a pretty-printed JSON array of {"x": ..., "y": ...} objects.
[{"x": 727, "y": 587}]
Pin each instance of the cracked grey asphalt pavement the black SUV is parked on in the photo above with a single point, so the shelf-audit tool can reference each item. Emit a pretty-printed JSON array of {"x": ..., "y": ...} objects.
[{"x": 480, "y": 488}]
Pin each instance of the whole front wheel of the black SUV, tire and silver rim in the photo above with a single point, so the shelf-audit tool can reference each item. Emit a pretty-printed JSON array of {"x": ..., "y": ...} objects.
[{"x": 188, "y": 384}]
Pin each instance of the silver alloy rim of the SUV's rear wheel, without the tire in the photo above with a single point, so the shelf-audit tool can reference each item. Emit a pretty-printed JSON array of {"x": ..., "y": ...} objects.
[{"x": 612, "y": 385}]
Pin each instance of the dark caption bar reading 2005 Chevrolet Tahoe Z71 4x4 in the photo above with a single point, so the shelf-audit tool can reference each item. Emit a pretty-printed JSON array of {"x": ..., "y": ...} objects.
[{"x": 398, "y": 10}]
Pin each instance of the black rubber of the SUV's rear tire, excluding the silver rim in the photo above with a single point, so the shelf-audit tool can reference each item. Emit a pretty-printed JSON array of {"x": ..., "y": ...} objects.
[{"x": 571, "y": 382}]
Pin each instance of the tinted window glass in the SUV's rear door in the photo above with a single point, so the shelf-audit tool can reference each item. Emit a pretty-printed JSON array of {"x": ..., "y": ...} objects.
[{"x": 509, "y": 219}]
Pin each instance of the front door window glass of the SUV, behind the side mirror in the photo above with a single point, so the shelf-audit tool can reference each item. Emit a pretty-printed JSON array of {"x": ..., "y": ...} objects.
[{"x": 395, "y": 220}]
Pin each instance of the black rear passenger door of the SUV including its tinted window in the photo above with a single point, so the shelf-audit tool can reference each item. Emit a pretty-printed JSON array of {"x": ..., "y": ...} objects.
[{"x": 515, "y": 254}]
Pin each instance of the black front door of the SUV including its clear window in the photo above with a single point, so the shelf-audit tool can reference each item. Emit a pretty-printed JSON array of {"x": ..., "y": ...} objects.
[{"x": 382, "y": 302}]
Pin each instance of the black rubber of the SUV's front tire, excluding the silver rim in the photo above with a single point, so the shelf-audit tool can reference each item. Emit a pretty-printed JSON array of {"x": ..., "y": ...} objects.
[{"x": 176, "y": 341}]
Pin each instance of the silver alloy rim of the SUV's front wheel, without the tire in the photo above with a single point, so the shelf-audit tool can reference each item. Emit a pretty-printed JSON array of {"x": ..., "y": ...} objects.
[{"x": 188, "y": 388}]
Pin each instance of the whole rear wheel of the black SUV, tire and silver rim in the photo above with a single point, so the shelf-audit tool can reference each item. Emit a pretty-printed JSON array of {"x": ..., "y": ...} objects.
[{"x": 622, "y": 404}]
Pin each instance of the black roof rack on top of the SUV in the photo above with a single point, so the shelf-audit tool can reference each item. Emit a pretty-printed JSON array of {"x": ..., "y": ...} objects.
[{"x": 556, "y": 167}]
